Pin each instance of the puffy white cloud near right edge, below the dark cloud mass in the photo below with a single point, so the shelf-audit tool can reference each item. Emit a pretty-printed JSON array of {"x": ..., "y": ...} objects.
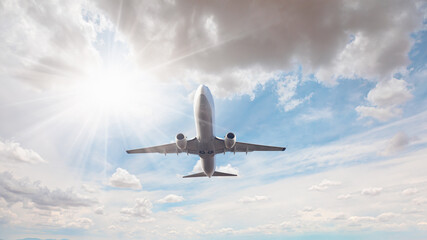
[{"x": 385, "y": 100}]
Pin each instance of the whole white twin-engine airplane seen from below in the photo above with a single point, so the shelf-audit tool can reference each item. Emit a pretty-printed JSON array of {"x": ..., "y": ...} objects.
[{"x": 205, "y": 144}]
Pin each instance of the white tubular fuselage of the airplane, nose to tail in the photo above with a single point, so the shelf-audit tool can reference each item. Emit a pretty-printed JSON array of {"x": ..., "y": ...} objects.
[{"x": 204, "y": 116}]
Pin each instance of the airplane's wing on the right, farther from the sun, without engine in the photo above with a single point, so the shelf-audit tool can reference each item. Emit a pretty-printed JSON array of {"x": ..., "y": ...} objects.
[{"x": 244, "y": 147}]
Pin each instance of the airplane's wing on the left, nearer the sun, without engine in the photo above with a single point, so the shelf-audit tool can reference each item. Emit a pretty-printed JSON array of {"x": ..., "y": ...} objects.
[{"x": 192, "y": 148}]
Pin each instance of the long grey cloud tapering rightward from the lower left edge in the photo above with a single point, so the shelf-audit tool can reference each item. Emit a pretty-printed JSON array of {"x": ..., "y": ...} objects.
[{"x": 21, "y": 190}]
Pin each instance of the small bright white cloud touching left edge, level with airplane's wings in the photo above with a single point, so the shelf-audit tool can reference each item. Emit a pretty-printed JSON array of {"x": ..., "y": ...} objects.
[{"x": 12, "y": 151}]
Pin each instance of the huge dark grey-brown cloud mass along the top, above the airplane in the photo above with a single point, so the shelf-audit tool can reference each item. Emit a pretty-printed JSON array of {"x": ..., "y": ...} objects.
[{"x": 339, "y": 39}]
